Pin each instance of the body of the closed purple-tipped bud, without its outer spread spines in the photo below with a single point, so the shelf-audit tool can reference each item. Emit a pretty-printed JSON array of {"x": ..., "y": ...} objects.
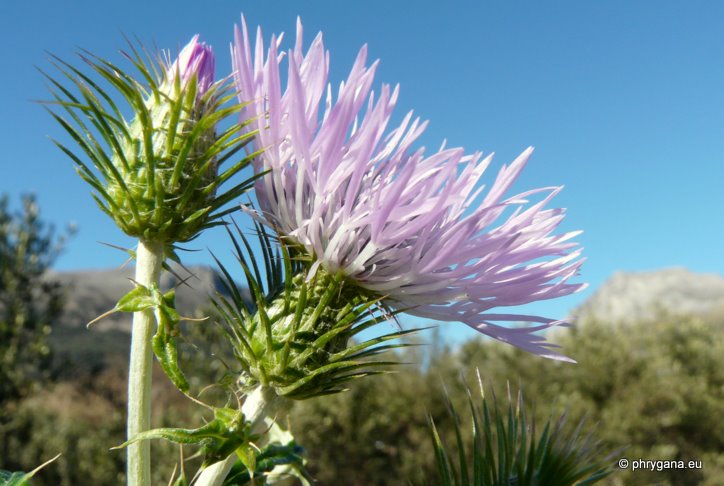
[{"x": 164, "y": 163}]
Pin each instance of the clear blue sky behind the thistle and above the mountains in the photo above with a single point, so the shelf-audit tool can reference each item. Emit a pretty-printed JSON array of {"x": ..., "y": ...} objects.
[{"x": 624, "y": 102}]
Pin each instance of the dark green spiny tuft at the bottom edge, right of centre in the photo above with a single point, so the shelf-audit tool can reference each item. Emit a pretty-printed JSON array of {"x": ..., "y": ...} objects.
[{"x": 521, "y": 457}]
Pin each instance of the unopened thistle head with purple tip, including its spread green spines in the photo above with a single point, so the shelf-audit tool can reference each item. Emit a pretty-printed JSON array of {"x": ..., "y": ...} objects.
[{"x": 156, "y": 175}]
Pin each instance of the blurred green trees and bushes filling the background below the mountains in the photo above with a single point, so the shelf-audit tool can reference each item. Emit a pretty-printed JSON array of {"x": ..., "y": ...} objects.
[{"x": 653, "y": 388}]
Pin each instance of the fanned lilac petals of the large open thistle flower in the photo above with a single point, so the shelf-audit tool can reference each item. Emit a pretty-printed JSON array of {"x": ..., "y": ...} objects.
[{"x": 418, "y": 229}]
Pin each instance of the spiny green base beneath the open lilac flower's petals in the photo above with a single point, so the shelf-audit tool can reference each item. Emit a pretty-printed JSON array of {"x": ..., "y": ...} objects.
[{"x": 296, "y": 336}]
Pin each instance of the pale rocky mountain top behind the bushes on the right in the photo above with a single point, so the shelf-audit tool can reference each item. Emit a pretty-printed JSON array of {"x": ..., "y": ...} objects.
[{"x": 632, "y": 296}]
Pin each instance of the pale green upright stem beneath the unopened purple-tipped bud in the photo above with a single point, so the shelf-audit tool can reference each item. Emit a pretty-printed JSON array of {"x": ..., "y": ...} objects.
[{"x": 149, "y": 259}]
